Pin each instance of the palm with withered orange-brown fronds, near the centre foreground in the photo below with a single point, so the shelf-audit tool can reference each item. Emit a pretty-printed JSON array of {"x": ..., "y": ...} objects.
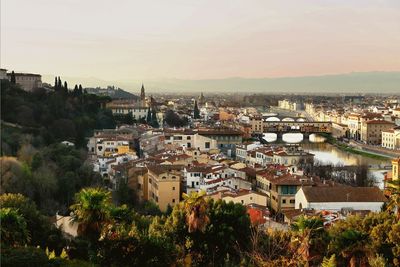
[{"x": 196, "y": 206}]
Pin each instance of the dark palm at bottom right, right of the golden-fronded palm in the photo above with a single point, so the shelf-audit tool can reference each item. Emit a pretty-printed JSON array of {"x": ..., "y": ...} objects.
[{"x": 353, "y": 245}]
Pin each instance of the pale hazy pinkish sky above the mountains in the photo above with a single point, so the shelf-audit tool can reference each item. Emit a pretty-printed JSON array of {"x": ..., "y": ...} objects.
[{"x": 201, "y": 39}]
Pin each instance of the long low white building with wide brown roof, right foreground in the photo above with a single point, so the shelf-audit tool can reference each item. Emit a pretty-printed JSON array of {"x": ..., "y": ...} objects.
[{"x": 339, "y": 197}]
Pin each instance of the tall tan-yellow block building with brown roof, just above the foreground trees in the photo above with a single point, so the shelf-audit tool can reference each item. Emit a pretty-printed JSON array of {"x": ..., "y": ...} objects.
[{"x": 164, "y": 185}]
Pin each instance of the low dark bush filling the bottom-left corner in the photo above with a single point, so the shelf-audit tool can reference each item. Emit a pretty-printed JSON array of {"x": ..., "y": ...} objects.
[{"x": 23, "y": 257}]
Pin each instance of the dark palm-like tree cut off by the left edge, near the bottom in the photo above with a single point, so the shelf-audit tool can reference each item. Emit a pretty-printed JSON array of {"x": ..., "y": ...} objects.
[{"x": 13, "y": 228}]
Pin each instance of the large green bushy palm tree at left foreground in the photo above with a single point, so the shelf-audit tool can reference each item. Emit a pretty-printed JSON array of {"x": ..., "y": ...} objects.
[{"x": 91, "y": 211}]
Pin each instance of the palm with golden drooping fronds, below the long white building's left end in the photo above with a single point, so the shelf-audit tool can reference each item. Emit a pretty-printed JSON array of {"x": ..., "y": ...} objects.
[{"x": 307, "y": 232}]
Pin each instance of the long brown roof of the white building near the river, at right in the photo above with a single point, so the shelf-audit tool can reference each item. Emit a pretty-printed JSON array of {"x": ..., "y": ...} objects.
[{"x": 343, "y": 194}]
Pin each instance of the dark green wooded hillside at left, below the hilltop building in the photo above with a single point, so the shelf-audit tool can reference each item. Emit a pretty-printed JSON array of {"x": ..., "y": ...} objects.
[{"x": 53, "y": 116}]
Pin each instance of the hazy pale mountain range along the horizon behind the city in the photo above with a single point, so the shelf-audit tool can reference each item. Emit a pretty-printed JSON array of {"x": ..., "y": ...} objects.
[{"x": 355, "y": 82}]
